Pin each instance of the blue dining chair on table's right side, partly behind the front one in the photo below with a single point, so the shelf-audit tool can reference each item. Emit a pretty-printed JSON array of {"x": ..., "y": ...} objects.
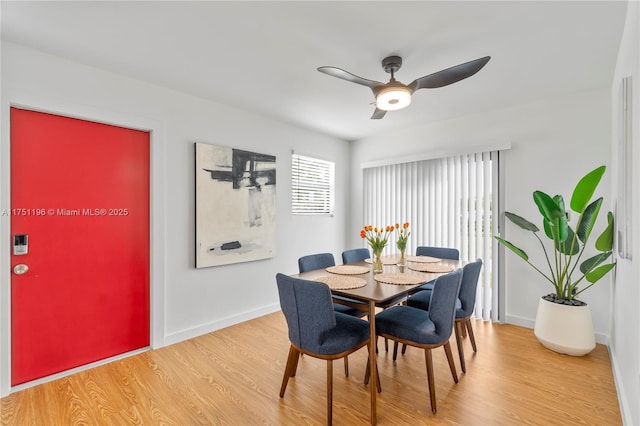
[{"x": 464, "y": 307}]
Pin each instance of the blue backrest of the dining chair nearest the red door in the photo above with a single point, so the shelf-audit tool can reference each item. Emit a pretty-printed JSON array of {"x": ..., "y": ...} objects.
[{"x": 308, "y": 310}]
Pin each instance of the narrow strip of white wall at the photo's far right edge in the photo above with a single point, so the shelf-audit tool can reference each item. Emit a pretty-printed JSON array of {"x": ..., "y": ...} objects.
[{"x": 625, "y": 315}]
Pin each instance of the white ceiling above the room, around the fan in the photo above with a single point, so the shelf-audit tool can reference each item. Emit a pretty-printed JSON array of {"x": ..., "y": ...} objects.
[{"x": 262, "y": 56}]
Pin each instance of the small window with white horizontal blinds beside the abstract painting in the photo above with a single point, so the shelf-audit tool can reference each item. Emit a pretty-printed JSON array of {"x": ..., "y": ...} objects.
[{"x": 312, "y": 186}]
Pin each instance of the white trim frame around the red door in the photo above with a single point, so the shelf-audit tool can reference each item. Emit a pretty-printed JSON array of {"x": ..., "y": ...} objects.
[{"x": 156, "y": 212}]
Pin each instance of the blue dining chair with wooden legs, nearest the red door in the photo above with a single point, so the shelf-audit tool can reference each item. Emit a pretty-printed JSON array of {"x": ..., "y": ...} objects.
[{"x": 315, "y": 329}]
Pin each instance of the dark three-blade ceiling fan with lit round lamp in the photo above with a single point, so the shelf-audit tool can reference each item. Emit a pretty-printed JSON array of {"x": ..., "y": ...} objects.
[{"x": 395, "y": 95}]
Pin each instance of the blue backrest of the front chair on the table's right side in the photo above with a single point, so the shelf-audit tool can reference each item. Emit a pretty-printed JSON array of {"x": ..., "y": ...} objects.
[{"x": 442, "y": 308}]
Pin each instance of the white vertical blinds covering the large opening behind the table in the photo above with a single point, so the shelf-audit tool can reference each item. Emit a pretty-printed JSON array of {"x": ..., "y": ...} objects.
[{"x": 448, "y": 202}]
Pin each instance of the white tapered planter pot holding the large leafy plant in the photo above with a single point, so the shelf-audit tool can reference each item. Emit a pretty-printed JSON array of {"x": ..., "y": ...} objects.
[{"x": 565, "y": 329}]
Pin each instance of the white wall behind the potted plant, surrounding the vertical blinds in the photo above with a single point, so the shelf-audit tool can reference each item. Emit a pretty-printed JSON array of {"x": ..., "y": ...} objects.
[{"x": 554, "y": 143}]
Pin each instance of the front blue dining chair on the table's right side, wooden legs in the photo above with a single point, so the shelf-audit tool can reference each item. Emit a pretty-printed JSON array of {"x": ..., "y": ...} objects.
[{"x": 426, "y": 329}]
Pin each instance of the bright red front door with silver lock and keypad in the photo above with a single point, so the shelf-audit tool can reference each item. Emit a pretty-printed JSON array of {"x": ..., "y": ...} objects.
[{"x": 80, "y": 195}]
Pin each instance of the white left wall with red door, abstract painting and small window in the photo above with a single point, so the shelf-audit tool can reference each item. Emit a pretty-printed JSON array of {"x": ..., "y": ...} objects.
[{"x": 186, "y": 302}]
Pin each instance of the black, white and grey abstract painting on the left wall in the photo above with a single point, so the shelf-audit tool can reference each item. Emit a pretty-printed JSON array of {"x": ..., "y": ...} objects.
[{"x": 235, "y": 205}]
